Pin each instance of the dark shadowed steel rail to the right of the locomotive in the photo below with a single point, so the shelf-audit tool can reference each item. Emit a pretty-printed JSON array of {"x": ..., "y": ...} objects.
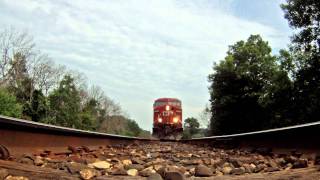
[{"x": 302, "y": 138}]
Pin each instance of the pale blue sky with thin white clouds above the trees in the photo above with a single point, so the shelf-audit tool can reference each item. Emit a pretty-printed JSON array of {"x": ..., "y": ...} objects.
[{"x": 141, "y": 50}]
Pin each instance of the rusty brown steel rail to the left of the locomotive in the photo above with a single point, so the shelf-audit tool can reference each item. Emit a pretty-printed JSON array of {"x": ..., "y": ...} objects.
[{"x": 18, "y": 136}]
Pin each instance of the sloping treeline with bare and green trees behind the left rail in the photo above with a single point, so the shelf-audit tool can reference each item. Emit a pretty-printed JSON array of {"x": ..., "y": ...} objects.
[{"x": 32, "y": 87}]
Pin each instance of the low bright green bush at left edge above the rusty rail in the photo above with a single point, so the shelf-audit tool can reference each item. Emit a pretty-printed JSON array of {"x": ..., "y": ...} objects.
[{"x": 9, "y": 105}]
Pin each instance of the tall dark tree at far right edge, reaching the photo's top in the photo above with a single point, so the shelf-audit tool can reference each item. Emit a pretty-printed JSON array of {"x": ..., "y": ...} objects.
[{"x": 304, "y": 17}]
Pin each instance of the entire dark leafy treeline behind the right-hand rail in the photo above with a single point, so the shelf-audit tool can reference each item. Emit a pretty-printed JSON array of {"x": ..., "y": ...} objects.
[{"x": 251, "y": 89}]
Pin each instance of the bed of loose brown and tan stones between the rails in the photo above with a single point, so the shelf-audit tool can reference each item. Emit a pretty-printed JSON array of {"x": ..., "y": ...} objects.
[{"x": 167, "y": 161}]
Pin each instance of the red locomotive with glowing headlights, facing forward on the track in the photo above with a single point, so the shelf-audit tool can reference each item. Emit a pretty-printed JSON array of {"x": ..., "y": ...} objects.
[{"x": 167, "y": 118}]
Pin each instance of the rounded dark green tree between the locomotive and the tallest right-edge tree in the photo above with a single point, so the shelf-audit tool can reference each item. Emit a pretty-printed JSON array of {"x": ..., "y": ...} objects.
[{"x": 243, "y": 86}]
